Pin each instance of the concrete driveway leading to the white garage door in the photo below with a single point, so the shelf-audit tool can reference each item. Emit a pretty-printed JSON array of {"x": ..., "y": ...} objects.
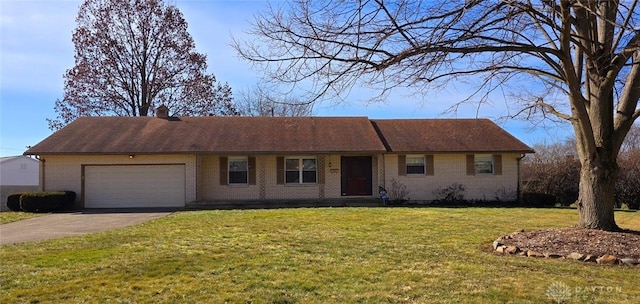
[{"x": 59, "y": 225}]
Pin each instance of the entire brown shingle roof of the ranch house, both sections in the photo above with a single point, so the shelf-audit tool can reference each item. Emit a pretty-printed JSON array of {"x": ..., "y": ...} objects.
[{"x": 151, "y": 135}]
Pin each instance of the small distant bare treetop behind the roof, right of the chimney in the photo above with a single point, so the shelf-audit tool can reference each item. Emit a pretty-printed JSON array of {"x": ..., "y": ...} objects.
[{"x": 263, "y": 101}]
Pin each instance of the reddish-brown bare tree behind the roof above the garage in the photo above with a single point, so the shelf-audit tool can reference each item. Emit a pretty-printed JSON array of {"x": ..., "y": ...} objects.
[{"x": 132, "y": 56}]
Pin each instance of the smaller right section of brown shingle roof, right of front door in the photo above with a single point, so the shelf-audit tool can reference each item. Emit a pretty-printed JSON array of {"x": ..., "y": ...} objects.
[{"x": 447, "y": 135}]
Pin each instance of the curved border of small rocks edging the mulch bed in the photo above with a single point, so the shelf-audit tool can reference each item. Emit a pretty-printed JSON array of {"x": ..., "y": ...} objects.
[{"x": 500, "y": 247}]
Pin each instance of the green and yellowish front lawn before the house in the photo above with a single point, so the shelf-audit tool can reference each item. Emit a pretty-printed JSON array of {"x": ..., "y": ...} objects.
[{"x": 340, "y": 255}]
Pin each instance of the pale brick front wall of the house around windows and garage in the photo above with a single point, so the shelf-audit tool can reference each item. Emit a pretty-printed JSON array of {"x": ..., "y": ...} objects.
[{"x": 203, "y": 176}]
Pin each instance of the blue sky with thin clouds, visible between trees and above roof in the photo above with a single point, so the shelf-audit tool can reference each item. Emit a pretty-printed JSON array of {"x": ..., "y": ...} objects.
[{"x": 36, "y": 50}]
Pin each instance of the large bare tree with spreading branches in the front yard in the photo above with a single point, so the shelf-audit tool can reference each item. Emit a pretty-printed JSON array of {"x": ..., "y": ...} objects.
[{"x": 576, "y": 60}]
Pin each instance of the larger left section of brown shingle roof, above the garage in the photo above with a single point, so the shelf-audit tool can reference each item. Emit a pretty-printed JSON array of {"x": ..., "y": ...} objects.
[{"x": 139, "y": 135}]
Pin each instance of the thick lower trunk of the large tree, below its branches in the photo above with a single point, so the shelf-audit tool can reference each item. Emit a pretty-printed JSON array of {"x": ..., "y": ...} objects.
[{"x": 596, "y": 198}]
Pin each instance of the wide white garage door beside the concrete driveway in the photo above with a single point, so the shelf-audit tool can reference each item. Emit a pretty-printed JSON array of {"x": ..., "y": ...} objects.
[{"x": 134, "y": 186}]
